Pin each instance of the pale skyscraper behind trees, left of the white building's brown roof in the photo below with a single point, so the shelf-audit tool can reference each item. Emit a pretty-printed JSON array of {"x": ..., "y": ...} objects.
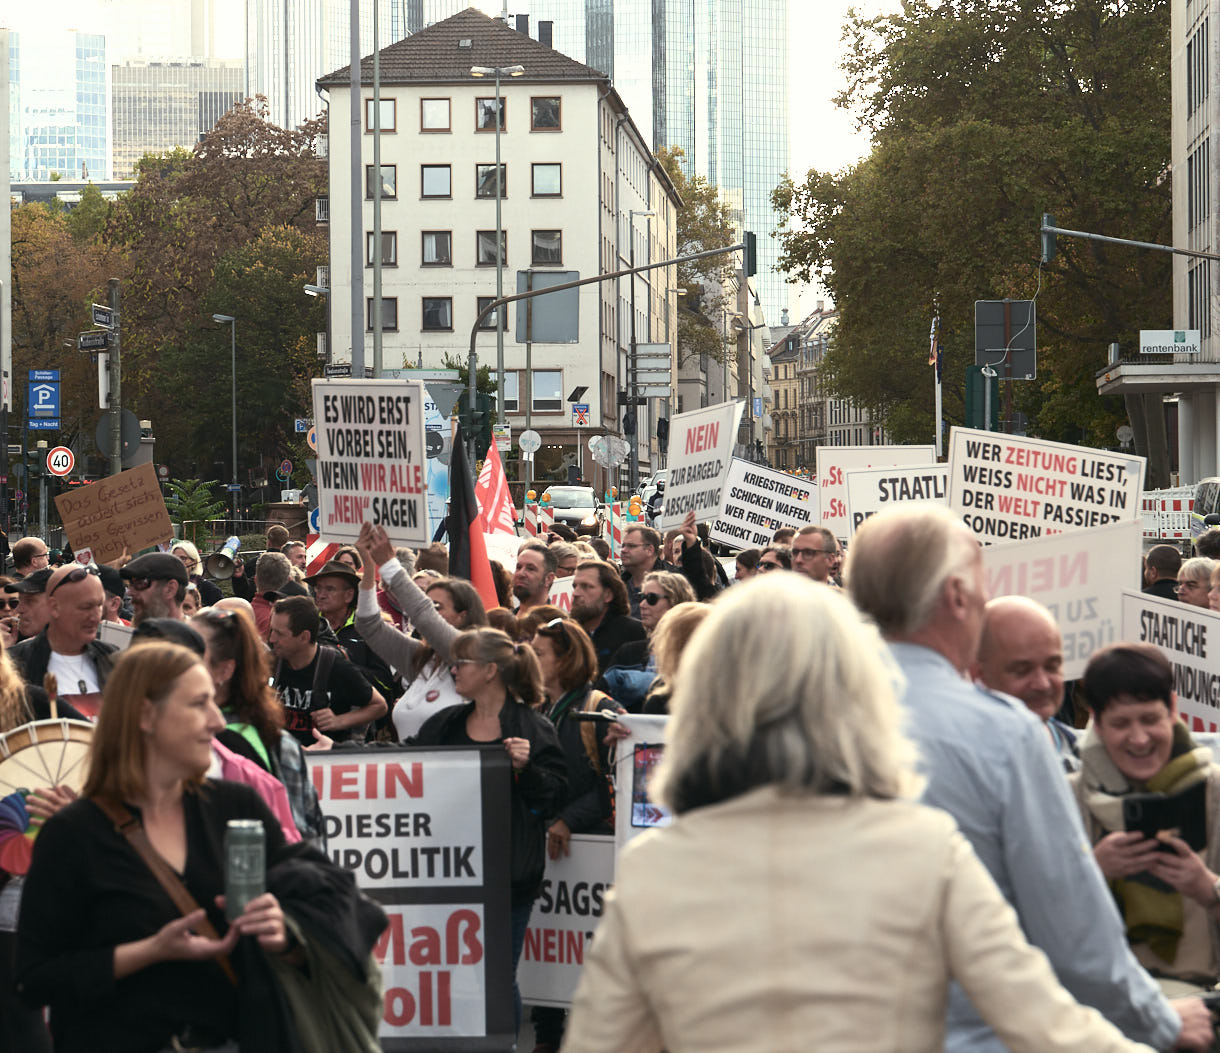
[{"x": 292, "y": 43}]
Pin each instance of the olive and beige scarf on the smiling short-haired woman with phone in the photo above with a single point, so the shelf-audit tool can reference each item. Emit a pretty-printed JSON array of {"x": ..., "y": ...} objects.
[{"x": 1152, "y": 912}]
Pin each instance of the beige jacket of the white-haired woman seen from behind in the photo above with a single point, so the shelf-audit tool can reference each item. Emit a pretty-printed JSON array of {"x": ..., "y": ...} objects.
[{"x": 773, "y": 924}]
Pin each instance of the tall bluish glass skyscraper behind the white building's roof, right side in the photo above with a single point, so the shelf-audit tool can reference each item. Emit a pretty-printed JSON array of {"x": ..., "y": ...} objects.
[{"x": 709, "y": 76}]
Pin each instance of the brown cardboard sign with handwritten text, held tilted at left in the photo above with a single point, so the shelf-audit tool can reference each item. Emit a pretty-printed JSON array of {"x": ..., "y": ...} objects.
[{"x": 124, "y": 512}]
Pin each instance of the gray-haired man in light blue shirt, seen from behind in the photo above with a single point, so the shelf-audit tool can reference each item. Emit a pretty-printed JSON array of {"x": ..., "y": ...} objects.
[{"x": 918, "y": 572}]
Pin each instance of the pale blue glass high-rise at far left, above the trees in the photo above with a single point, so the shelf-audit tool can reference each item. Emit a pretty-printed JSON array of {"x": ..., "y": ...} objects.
[{"x": 59, "y": 106}]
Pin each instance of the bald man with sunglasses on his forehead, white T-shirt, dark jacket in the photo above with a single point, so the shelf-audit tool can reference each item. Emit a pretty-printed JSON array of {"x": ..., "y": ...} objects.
[{"x": 69, "y": 646}]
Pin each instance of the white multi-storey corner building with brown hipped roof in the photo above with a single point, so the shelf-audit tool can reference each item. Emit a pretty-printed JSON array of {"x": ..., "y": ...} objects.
[{"x": 583, "y": 196}]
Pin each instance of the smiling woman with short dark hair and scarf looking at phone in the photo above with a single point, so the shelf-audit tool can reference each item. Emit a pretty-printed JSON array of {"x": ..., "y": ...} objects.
[{"x": 1167, "y": 889}]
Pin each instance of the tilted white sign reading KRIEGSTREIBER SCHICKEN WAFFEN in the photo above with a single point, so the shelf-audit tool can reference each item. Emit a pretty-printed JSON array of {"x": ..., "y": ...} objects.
[{"x": 762, "y": 501}]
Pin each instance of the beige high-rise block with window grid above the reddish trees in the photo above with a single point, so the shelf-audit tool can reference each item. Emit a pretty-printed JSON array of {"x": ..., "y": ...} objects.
[{"x": 160, "y": 106}]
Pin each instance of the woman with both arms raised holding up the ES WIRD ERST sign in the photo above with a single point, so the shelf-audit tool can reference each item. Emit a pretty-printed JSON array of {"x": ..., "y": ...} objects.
[{"x": 440, "y": 616}]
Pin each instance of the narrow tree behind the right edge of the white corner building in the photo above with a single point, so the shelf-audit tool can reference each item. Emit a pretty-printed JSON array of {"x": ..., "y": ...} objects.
[{"x": 703, "y": 223}]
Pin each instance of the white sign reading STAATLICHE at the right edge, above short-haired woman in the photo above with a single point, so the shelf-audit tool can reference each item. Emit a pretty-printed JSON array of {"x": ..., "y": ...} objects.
[{"x": 1183, "y": 633}]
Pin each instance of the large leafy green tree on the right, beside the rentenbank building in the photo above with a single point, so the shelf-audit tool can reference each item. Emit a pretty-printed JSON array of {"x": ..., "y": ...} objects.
[{"x": 985, "y": 114}]
